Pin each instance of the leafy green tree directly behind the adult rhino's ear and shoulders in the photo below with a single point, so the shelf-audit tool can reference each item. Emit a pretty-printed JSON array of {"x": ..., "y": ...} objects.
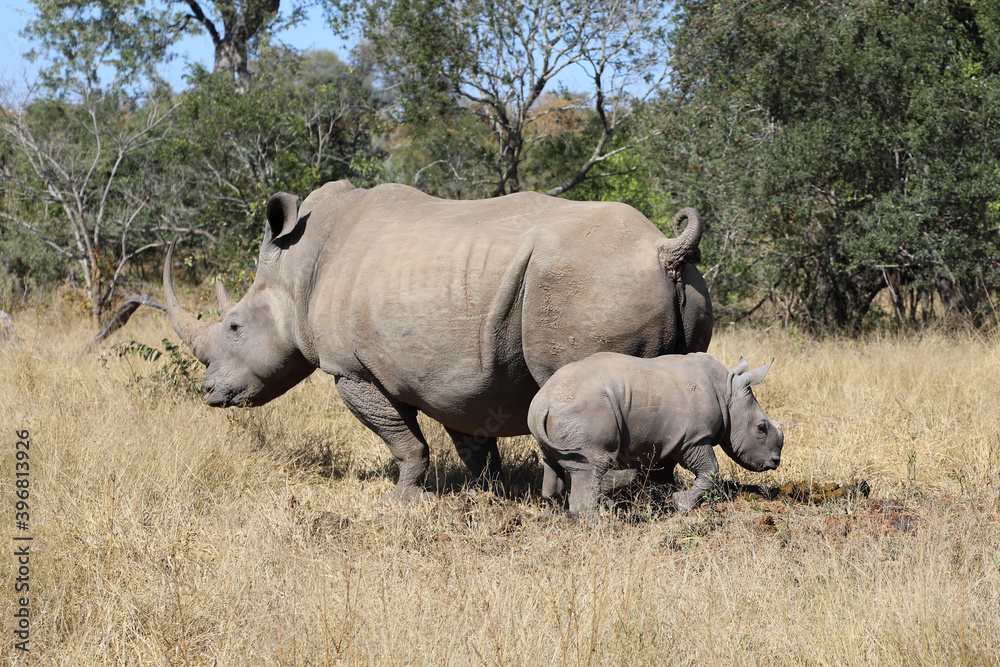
[{"x": 302, "y": 121}]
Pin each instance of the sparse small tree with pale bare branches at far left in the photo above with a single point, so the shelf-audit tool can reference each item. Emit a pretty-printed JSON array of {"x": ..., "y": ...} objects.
[{"x": 81, "y": 179}]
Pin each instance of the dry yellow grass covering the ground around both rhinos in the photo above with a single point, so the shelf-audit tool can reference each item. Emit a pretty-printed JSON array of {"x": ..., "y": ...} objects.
[{"x": 166, "y": 531}]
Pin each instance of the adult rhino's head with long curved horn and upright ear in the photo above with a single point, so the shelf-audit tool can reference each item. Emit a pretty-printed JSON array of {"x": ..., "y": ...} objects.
[{"x": 251, "y": 355}]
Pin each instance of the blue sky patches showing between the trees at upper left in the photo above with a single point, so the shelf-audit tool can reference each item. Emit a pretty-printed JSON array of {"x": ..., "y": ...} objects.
[{"x": 14, "y": 14}]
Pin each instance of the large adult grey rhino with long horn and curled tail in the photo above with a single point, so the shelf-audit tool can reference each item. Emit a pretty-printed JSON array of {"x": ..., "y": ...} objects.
[{"x": 459, "y": 309}]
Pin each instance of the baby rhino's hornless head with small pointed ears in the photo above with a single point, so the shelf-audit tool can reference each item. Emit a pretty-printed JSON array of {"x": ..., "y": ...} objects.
[{"x": 754, "y": 442}]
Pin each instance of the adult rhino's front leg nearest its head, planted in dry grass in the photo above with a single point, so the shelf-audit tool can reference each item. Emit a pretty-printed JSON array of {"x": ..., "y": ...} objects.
[{"x": 397, "y": 425}]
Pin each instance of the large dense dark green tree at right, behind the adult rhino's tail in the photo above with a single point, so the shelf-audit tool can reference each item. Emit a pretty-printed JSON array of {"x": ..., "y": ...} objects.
[{"x": 839, "y": 149}]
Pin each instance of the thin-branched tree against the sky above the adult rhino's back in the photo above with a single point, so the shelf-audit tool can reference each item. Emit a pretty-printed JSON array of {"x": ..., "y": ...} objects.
[{"x": 452, "y": 64}]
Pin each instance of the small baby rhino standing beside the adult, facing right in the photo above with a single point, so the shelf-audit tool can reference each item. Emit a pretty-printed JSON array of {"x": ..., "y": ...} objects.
[{"x": 615, "y": 411}]
